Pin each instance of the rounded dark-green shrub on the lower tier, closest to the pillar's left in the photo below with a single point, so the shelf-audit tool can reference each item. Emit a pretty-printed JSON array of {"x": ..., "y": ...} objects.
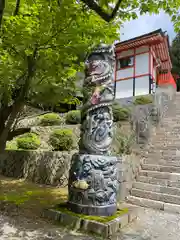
[{"x": 62, "y": 139}]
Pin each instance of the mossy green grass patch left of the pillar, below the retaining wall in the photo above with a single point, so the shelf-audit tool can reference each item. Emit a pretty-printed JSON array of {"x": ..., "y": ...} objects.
[{"x": 30, "y": 196}]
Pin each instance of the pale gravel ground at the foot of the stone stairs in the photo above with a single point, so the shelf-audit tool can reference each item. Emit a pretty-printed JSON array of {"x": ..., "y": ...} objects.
[{"x": 152, "y": 225}]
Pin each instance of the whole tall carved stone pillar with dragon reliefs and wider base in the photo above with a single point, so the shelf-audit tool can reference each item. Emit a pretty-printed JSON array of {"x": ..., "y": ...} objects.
[{"x": 93, "y": 180}]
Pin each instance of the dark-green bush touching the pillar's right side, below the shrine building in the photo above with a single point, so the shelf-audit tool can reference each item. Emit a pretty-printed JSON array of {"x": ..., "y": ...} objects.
[{"x": 120, "y": 113}]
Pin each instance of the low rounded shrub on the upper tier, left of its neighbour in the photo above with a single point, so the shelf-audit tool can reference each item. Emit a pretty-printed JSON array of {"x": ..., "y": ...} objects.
[{"x": 50, "y": 119}]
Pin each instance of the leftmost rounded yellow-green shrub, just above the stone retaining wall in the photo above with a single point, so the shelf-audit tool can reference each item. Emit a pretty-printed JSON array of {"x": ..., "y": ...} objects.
[{"x": 28, "y": 141}]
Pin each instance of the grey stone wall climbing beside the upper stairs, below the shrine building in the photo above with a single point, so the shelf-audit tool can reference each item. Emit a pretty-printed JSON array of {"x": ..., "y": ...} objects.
[{"x": 145, "y": 118}]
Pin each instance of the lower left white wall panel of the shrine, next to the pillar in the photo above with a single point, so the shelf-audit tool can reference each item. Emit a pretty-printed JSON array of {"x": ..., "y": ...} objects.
[{"x": 124, "y": 88}]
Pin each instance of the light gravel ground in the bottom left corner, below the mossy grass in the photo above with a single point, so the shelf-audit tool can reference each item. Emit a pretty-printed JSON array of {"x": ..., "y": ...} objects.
[{"x": 20, "y": 228}]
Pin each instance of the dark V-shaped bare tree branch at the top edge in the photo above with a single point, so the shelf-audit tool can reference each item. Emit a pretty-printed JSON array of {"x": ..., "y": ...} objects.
[{"x": 95, "y": 7}]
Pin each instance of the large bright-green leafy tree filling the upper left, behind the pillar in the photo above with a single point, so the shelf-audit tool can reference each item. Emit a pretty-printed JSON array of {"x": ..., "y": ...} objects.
[{"x": 41, "y": 45}]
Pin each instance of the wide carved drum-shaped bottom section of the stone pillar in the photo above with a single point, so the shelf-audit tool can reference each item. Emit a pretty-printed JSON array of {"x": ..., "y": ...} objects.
[{"x": 93, "y": 184}]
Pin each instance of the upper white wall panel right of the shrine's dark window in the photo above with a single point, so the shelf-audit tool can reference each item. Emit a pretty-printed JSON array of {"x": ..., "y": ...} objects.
[{"x": 142, "y": 64}]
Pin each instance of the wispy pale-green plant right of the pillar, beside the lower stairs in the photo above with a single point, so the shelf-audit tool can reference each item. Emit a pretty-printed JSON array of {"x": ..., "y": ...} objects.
[{"x": 124, "y": 143}]
